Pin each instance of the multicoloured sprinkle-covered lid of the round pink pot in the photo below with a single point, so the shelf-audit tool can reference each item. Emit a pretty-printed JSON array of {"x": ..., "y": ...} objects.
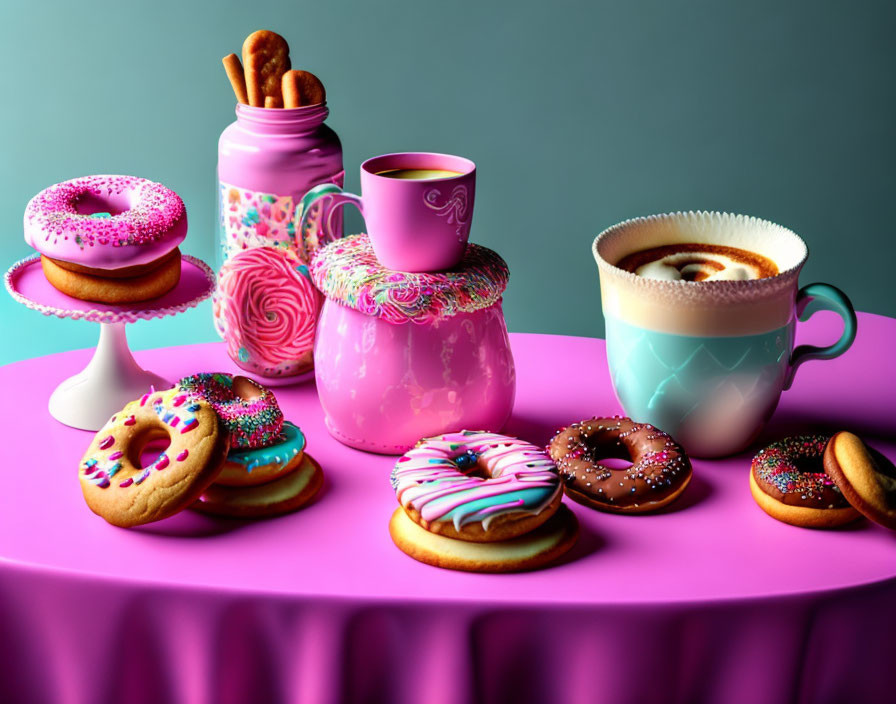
[{"x": 347, "y": 271}]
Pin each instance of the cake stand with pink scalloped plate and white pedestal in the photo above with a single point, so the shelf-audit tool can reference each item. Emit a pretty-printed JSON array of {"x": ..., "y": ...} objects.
[{"x": 113, "y": 377}]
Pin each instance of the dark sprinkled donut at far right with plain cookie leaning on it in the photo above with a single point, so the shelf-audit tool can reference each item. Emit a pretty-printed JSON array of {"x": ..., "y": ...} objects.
[{"x": 789, "y": 482}]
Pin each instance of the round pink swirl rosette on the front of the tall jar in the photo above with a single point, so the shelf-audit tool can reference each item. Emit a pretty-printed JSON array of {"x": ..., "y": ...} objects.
[{"x": 269, "y": 308}]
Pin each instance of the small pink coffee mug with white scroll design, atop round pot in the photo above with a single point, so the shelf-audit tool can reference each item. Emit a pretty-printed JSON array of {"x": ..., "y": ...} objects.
[{"x": 417, "y": 219}]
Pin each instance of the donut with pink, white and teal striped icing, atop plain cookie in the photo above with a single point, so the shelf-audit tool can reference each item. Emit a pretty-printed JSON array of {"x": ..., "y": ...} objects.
[{"x": 477, "y": 486}]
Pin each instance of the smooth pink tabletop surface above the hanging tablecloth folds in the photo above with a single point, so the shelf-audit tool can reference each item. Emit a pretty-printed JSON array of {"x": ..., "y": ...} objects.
[{"x": 340, "y": 546}]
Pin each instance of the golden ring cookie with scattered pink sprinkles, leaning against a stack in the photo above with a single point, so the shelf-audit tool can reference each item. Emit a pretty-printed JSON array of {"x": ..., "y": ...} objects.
[{"x": 120, "y": 484}]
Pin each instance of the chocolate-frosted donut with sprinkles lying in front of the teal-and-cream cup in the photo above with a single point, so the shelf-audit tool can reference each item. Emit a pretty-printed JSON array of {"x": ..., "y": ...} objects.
[{"x": 659, "y": 472}]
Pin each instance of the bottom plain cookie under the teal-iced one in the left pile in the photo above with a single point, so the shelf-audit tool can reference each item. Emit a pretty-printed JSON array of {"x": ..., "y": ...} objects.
[{"x": 284, "y": 495}]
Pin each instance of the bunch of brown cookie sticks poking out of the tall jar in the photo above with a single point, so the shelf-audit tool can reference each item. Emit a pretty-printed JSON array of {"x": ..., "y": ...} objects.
[{"x": 265, "y": 79}]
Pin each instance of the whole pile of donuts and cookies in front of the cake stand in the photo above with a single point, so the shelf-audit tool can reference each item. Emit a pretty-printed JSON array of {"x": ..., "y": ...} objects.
[{"x": 230, "y": 453}]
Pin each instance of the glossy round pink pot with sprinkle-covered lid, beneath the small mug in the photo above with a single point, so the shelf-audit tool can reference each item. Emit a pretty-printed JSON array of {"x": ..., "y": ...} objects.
[{"x": 401, "y": 356}]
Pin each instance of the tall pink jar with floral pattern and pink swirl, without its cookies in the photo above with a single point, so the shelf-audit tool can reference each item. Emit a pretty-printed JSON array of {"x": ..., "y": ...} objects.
[{"x": 267, "y": 160}]
